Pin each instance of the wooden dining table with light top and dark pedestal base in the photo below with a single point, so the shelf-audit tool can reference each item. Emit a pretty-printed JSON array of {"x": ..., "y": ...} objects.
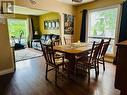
[{"x": 71, "y": 51}]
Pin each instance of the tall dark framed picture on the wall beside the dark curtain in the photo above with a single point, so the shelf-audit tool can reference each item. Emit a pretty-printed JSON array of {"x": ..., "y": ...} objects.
[{"x": 68, "y": 24}]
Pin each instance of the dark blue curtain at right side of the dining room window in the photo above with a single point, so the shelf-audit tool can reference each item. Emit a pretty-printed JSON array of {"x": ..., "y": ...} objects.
[{"x": 123, "y": 27}]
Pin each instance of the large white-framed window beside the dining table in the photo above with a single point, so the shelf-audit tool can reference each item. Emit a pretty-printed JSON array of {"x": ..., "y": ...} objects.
[{"x": 102, "y": 24}]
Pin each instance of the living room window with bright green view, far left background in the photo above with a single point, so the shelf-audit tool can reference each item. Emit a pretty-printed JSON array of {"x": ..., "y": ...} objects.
[{"x": 18, "y": 31}]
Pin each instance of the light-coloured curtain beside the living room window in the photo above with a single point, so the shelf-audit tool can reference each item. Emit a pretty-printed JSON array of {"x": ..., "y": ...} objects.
[{"x": 30, "y": 35}]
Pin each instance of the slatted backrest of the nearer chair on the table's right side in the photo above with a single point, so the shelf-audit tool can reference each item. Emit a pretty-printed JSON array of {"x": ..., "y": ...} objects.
[{"x": 95, "y": 52}]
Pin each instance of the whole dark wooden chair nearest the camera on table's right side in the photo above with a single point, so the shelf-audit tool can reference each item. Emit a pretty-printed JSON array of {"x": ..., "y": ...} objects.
[{"x": 91, "y": 62}]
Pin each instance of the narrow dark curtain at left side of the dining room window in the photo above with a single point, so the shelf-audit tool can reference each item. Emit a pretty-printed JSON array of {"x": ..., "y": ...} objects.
[{"x": 83, "y": 26}]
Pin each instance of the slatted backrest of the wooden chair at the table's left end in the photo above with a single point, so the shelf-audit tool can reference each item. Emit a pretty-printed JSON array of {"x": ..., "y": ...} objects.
[{"x": 48, "y": 54}]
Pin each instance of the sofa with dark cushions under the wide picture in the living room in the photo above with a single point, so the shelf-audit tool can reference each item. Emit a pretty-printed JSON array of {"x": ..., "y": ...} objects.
[{"x": 36, "y": 43}]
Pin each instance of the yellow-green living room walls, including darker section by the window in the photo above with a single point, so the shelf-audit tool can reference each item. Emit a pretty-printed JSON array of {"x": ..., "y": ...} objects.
[{"x": 38, "y": 22}]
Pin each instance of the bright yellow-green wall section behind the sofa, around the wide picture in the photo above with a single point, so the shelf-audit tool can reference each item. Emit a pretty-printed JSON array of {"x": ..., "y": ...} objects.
[{"x": 49, "y": 16}]
